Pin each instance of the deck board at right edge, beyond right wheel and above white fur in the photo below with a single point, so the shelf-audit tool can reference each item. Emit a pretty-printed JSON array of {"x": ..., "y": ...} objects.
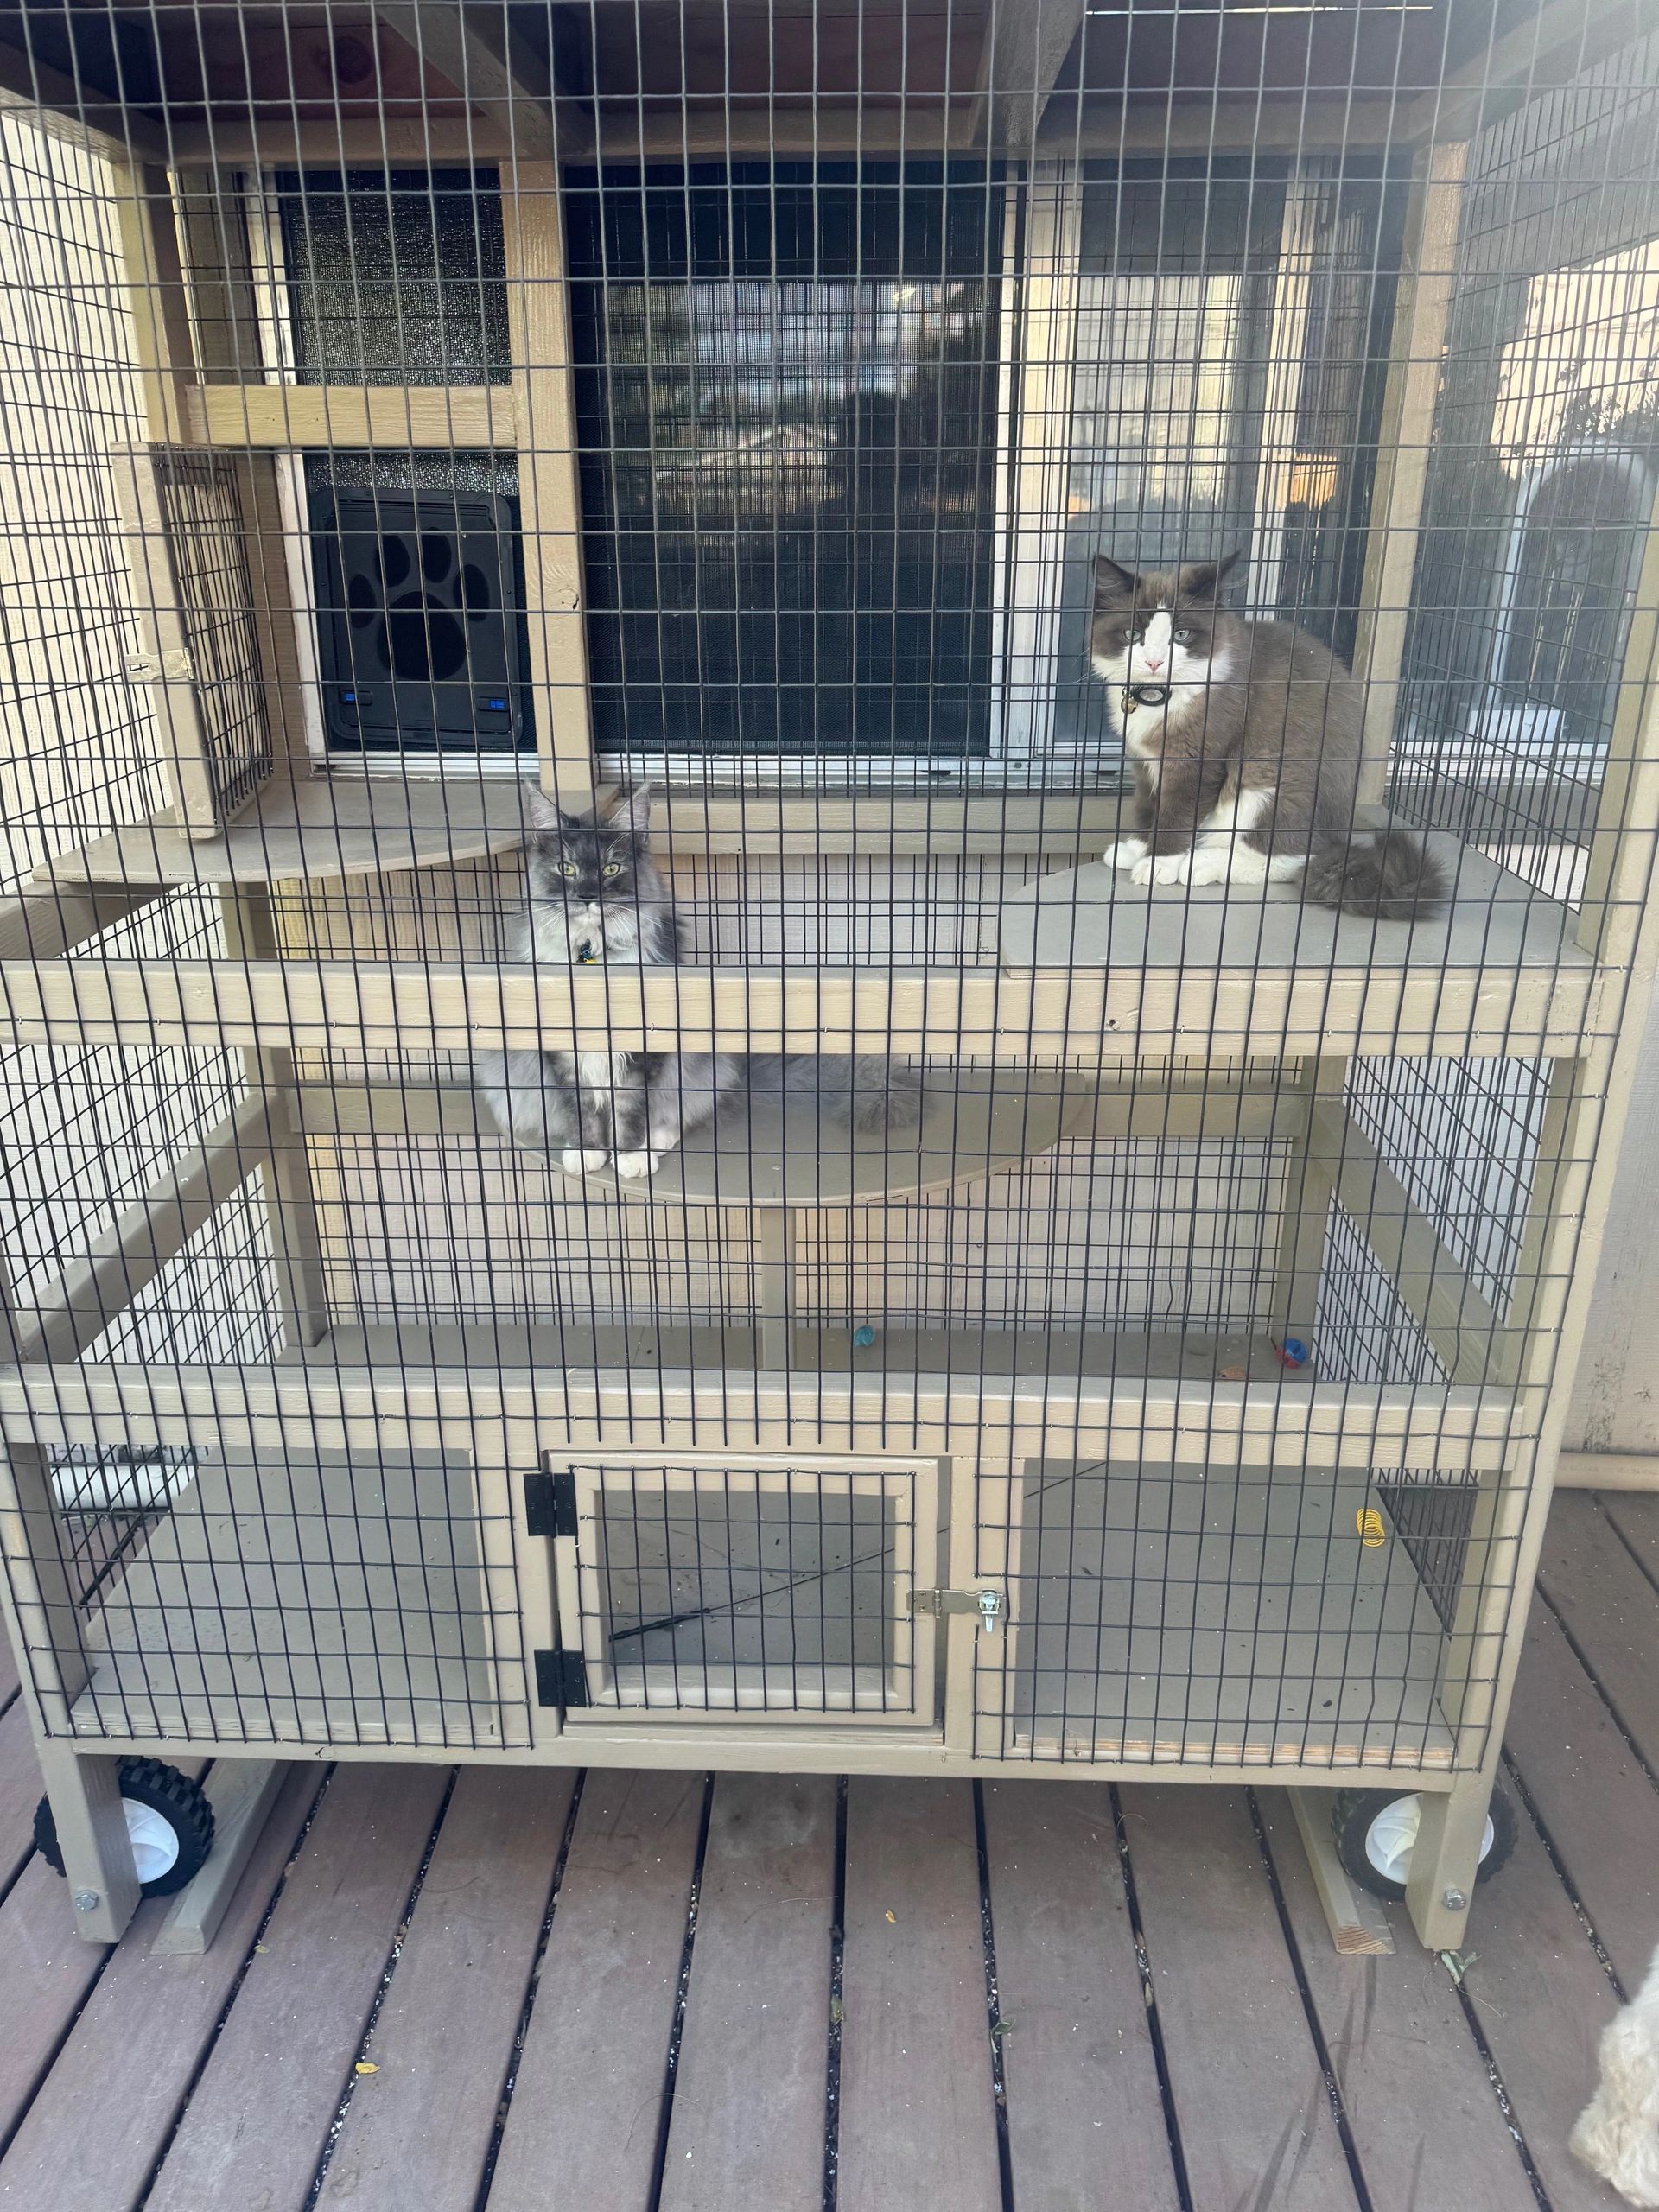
[{"x": 1596, "y": 1804}]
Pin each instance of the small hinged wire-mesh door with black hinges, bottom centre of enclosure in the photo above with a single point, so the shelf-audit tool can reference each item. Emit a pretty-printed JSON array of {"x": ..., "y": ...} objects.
[{"x": 760, "y": 1589}]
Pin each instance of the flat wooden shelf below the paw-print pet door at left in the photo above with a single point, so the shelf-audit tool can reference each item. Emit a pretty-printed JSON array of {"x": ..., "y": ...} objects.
[{"x": 315, "y": 826}]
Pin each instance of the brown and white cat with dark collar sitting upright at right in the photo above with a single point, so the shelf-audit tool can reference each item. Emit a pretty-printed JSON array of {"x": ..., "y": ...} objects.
[{"x": 1246, "y": 749}]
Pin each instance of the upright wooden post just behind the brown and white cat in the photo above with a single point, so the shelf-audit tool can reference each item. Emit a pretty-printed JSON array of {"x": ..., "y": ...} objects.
[{"x": 1421, "y": 315}]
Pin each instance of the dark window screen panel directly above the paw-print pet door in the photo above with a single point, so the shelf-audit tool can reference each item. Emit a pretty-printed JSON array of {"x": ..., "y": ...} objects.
[{"x": 395, "y": 278}]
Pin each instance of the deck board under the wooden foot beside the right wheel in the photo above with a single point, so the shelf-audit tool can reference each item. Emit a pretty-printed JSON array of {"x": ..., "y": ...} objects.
[{"x": 1415, "y": 2085}]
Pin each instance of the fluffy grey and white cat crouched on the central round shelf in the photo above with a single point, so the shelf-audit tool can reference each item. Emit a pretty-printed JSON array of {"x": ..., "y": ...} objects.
[{"x": 596, "y": 895}]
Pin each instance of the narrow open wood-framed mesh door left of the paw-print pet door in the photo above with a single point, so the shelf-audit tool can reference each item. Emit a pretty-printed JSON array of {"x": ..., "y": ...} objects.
[{"x": 196, "y": 609}]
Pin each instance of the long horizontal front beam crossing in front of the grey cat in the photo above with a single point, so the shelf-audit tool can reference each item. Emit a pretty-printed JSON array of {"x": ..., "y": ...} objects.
[{"x": 979, "y": 1016}]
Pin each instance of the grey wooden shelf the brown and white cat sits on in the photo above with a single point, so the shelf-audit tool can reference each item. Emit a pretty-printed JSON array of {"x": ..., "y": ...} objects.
[{"x": 1094, "y": 917}]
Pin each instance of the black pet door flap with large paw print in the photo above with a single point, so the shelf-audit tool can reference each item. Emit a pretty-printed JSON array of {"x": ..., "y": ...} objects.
[{"x": 419, "y": 620}]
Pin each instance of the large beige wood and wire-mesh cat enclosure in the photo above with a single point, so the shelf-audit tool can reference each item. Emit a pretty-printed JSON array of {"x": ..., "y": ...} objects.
[{"x": 417, "y": 406}]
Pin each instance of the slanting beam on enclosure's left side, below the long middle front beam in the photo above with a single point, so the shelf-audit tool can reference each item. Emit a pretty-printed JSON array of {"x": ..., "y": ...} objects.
[{"x": 74, "y": 1311}]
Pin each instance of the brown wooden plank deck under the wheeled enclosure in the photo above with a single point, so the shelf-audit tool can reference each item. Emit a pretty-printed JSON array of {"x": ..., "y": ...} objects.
[{"x": 446, "y": 1992}]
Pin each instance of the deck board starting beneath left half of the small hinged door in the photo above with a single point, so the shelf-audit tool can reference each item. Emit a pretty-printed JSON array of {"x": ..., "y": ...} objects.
[{"x": 587, "y": 2100}]
